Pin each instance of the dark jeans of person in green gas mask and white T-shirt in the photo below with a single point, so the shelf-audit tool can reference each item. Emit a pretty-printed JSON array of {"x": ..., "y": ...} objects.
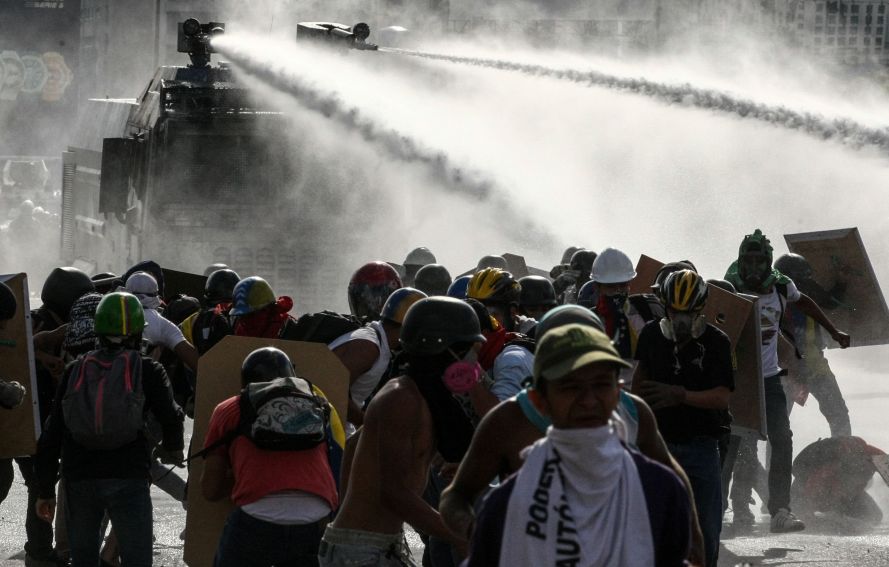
[{"x": 781, "y": 441}]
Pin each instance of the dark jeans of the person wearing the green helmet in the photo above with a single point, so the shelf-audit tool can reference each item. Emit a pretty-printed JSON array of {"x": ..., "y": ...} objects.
[{"x": 128, "y": 503}]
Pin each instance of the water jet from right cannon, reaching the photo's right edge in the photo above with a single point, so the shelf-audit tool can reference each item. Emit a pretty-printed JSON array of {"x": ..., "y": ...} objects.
[{"x": 843, "y": 130}]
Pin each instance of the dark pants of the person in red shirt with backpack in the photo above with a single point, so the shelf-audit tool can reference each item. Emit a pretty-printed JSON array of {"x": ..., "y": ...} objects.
[{"x": 249, "y": 542}]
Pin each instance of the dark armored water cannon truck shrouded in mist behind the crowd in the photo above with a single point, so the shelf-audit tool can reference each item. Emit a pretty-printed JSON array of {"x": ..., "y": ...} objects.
[{"x": 199, "y": 168}]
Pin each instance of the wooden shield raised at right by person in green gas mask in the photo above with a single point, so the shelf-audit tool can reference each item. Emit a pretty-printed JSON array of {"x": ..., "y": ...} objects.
[{"x": 839, "y": 257}]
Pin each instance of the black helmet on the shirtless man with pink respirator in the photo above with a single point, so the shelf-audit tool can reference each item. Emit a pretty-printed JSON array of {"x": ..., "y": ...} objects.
[{"x": 435, "y": 323}]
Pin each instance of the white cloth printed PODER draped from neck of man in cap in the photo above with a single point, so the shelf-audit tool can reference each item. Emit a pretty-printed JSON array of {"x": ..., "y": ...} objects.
[{"x": 578, "y": 501}]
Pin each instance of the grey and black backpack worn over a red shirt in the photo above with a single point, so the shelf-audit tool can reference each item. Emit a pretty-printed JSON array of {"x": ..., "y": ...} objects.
[{"x": 284, "y": 414}]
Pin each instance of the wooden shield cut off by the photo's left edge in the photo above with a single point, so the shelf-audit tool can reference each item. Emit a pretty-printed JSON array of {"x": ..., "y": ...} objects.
[{"x": 20, "y": 426}]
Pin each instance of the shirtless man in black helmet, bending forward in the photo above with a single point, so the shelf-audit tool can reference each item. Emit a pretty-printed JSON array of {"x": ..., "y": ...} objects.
[{"x": 407, "y": 422}]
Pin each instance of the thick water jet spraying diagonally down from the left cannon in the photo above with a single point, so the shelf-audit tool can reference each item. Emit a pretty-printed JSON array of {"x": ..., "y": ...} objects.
[{"x": 395, "y": 145}]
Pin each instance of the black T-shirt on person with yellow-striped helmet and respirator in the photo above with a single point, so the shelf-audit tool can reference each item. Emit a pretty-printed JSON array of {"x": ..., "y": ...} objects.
[{"x": 701, "y": 364}]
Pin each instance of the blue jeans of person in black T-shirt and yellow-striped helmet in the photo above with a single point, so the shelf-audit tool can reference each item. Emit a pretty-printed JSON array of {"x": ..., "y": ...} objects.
[{"x": 699, "y": 458}]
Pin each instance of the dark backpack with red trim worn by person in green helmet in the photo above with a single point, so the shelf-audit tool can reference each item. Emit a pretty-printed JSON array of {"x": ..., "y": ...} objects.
[{"x": 103, "y": 405}]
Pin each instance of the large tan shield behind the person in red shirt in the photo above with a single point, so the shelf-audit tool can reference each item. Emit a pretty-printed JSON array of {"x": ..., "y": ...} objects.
[{"x": 219, "y": 378}]
